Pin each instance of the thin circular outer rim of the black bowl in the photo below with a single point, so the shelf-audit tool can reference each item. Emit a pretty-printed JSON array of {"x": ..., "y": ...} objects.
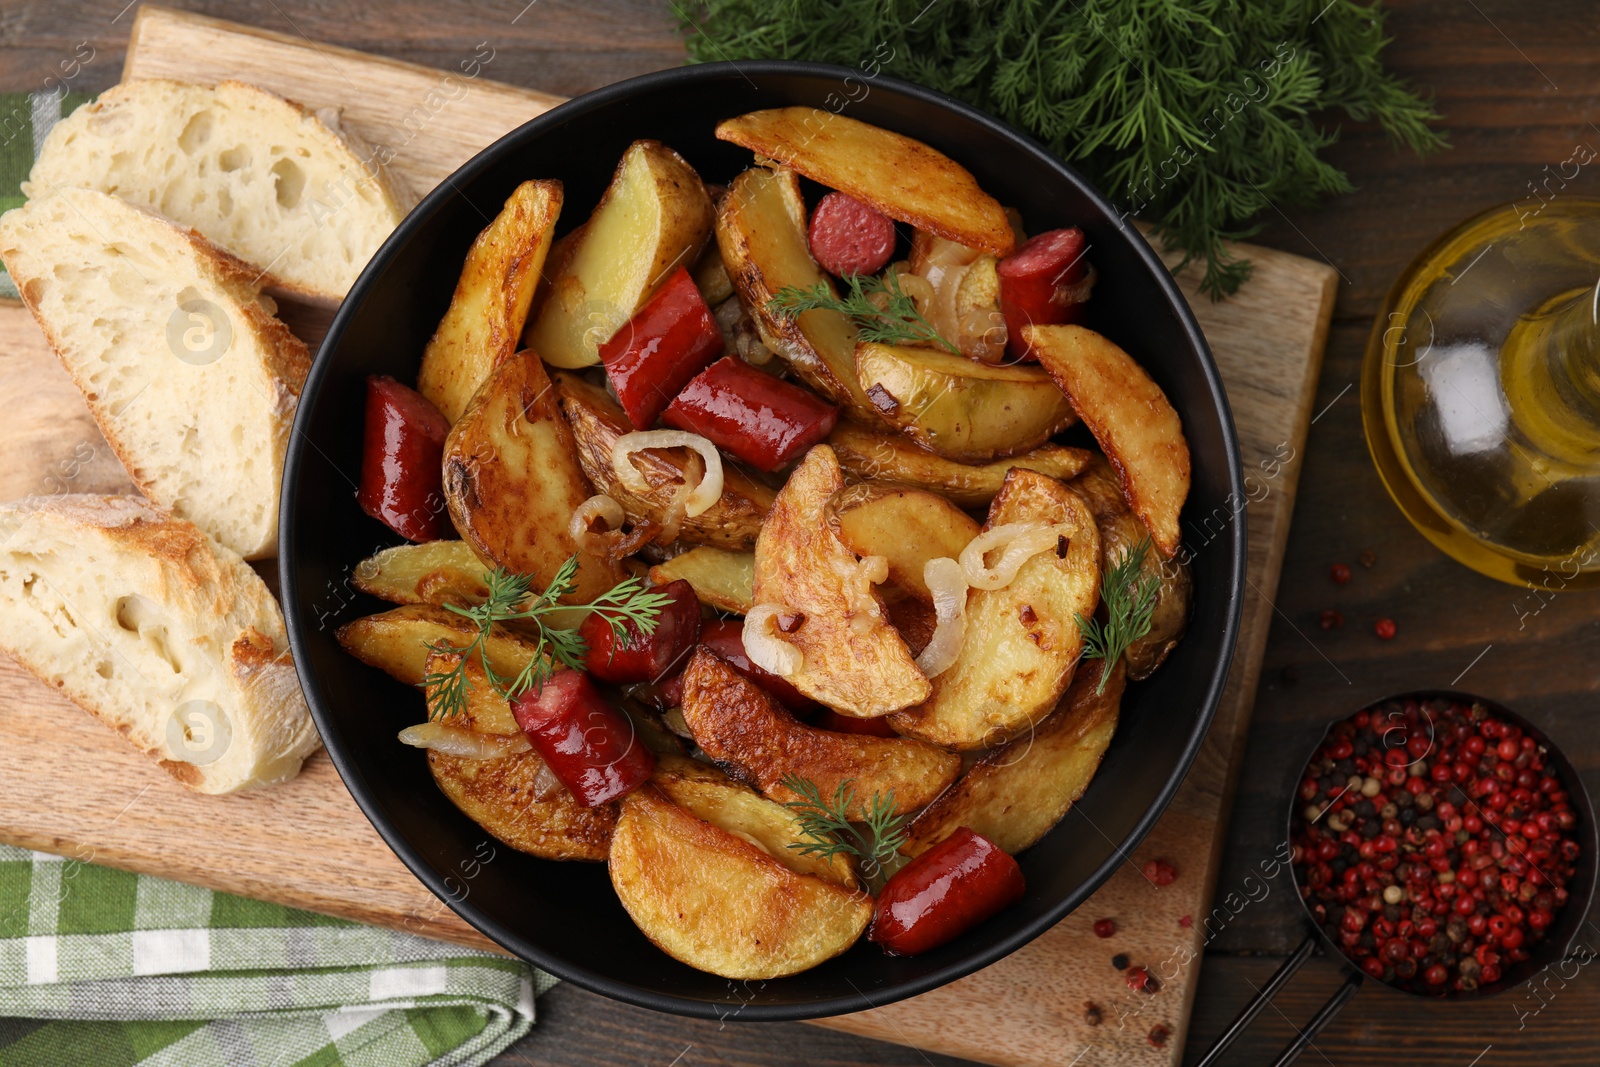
[{"x": 983, "y": 954}]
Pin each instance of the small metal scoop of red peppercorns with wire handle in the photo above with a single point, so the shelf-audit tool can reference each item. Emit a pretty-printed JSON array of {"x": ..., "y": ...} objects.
[{"x": 1442, "y": 845}]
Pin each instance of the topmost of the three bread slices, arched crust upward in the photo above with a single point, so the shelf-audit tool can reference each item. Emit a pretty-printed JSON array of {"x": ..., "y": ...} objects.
[{"x": 286, "y": 190}]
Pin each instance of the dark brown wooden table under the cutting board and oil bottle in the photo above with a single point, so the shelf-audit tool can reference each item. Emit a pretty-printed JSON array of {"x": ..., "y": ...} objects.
[{"x": 1519, "y": 90}]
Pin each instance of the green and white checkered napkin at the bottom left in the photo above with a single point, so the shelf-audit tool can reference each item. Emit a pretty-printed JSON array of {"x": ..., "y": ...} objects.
[{"x": 106, "y": 969}]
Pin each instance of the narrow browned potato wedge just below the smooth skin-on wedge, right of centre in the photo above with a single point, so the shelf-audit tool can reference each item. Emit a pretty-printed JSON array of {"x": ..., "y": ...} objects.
[{"x": 876, "y": 455}]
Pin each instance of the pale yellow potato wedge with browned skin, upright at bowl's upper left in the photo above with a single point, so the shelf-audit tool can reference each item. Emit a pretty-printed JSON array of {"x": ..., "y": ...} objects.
[{"x": 654, "y": 218}]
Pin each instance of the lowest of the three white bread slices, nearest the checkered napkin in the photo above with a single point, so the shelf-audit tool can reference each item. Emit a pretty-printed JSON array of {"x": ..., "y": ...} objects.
[{"x": 161, "y": 633}]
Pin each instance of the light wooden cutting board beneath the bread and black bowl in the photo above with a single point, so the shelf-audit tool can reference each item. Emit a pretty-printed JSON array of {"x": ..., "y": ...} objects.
[{"x": 78, "y": 789}]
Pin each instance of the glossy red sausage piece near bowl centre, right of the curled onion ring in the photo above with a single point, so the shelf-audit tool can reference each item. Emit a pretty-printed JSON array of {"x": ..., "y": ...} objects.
[{"x": 759, "y": 418}]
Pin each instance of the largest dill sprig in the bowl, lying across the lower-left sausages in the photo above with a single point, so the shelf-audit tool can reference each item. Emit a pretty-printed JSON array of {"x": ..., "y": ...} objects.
[{"x": 511, "y": 599}]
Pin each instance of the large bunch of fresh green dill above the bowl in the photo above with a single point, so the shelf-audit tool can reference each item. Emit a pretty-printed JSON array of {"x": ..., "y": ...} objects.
[{"x": 1196, "y": 116}]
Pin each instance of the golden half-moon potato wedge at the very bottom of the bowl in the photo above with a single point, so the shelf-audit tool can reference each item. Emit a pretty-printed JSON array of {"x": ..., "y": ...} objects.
[{"x": 721, "y": 903}]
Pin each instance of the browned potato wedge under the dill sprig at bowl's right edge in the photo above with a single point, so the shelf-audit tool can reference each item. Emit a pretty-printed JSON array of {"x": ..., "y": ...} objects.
[{"x": 1121, "y": 533}]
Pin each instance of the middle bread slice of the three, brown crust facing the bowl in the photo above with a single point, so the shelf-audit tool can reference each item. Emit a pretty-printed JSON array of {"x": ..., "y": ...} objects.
[{"x": 188, "y": 374}]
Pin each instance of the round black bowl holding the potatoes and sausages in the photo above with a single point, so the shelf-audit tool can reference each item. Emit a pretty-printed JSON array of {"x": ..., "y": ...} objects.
[{"x": 566, "y": 917}]
